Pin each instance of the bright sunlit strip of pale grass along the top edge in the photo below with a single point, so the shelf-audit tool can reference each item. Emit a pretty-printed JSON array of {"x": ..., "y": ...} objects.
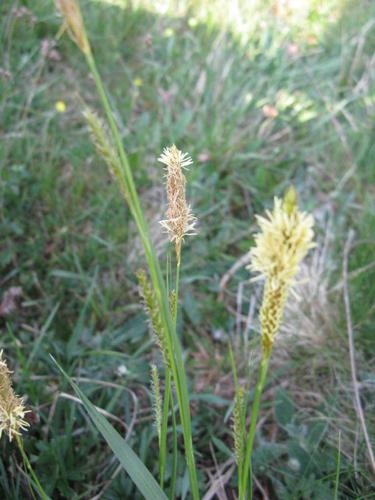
[{"x": 302, "y": 20}]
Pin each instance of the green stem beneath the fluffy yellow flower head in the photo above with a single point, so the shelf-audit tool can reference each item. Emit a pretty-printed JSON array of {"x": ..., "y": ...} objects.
[{"x": 250, "y": 437}]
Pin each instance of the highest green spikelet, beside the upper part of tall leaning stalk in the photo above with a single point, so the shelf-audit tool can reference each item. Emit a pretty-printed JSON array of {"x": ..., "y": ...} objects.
[{"x": 105, "y": 148}]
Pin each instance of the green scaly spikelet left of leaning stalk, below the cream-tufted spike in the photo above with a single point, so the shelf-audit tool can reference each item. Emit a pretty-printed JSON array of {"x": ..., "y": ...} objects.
[{"x": 152, "y": 311}]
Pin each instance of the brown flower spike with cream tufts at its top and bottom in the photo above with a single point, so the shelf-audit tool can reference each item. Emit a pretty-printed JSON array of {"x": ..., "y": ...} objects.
[{"x": 180, "y": 221}]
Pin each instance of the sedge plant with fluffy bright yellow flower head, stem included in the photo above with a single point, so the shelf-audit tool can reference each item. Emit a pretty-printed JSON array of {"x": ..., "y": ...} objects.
[{"x": 283, "y": 241}]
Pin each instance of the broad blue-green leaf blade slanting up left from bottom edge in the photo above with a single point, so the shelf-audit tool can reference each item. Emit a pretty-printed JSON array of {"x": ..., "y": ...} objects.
[{"x": 139, "y": 474}]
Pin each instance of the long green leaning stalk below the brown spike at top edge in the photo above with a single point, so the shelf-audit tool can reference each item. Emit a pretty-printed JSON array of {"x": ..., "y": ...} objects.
[{"x": 174, "y": 347}]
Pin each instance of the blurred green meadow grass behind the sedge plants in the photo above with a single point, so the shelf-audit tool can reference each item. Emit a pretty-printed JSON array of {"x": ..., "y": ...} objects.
[{"x": 262, "y": 95}]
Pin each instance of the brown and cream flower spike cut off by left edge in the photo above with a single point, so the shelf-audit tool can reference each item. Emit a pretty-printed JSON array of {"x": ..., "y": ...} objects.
[{"x": 12, "y": 410}]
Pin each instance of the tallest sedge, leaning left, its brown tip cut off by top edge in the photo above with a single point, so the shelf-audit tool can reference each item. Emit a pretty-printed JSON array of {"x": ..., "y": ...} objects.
[{"x": 110, "y": 146}]
